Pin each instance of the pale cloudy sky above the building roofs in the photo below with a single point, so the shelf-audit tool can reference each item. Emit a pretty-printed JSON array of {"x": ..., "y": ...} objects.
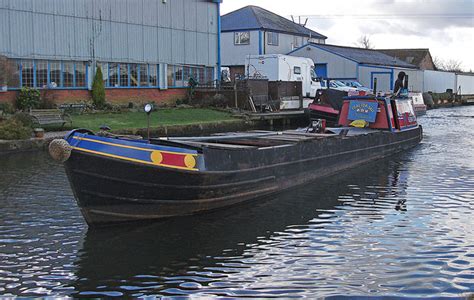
[{"x": 446, "y": 27}]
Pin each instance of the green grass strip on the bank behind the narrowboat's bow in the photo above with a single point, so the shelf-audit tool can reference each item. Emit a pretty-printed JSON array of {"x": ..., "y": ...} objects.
[{"x": 162, "y": 117}]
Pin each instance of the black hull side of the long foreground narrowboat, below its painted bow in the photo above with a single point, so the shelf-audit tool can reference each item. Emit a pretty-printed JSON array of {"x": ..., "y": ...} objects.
[{"x": 110, "y": 190}]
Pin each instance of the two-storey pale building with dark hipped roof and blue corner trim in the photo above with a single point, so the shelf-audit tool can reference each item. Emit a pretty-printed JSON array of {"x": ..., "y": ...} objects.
[{"x": 253, "y": 30}]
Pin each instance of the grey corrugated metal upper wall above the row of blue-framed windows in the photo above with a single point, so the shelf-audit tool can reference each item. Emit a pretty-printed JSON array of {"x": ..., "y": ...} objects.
[{"x": 150, "y": 31}]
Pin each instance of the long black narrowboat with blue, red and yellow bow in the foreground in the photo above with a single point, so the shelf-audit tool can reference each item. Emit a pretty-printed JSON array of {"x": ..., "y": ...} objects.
[{"x": 121, "y": 179}]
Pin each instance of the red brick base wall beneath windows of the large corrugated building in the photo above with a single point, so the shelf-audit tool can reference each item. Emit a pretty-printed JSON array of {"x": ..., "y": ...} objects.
[{"x": 115, "y": 96}]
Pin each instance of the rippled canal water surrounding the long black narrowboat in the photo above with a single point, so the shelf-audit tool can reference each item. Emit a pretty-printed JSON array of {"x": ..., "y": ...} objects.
[{"x": 401, "y": 227}]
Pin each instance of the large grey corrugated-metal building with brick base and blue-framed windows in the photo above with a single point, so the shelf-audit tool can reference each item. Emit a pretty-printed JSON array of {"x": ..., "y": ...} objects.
[{"x": 147, "y": 49}]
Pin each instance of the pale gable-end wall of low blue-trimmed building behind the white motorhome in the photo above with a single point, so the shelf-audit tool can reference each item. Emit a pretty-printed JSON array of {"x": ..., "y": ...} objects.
[{"x": 337, "y": 66}]
